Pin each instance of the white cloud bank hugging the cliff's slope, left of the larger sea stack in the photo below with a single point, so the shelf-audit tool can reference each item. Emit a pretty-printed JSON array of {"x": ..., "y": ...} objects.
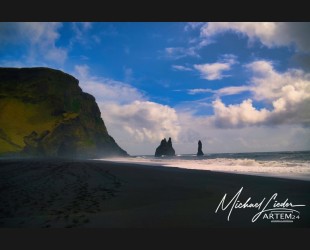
[{"x": 130, "y": 118}]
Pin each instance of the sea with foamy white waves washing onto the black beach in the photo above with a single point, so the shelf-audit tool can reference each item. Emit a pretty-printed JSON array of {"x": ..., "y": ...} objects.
[{"x": 293, "y": 165}]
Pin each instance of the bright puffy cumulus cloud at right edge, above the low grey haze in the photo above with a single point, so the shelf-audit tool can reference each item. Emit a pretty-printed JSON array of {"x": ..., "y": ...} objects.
[{"x": 287, "y": 93}]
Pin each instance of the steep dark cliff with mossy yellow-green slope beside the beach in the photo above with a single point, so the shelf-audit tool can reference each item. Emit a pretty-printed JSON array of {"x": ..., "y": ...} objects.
[{"x": 44, "y": 112}]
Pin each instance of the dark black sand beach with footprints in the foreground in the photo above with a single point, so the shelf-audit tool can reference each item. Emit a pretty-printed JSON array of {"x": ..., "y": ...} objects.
[{"x": 60, "y": 193}]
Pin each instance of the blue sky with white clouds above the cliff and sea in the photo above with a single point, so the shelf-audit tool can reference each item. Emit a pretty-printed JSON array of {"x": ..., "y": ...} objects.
[{"x": 237, "y": 87}]
